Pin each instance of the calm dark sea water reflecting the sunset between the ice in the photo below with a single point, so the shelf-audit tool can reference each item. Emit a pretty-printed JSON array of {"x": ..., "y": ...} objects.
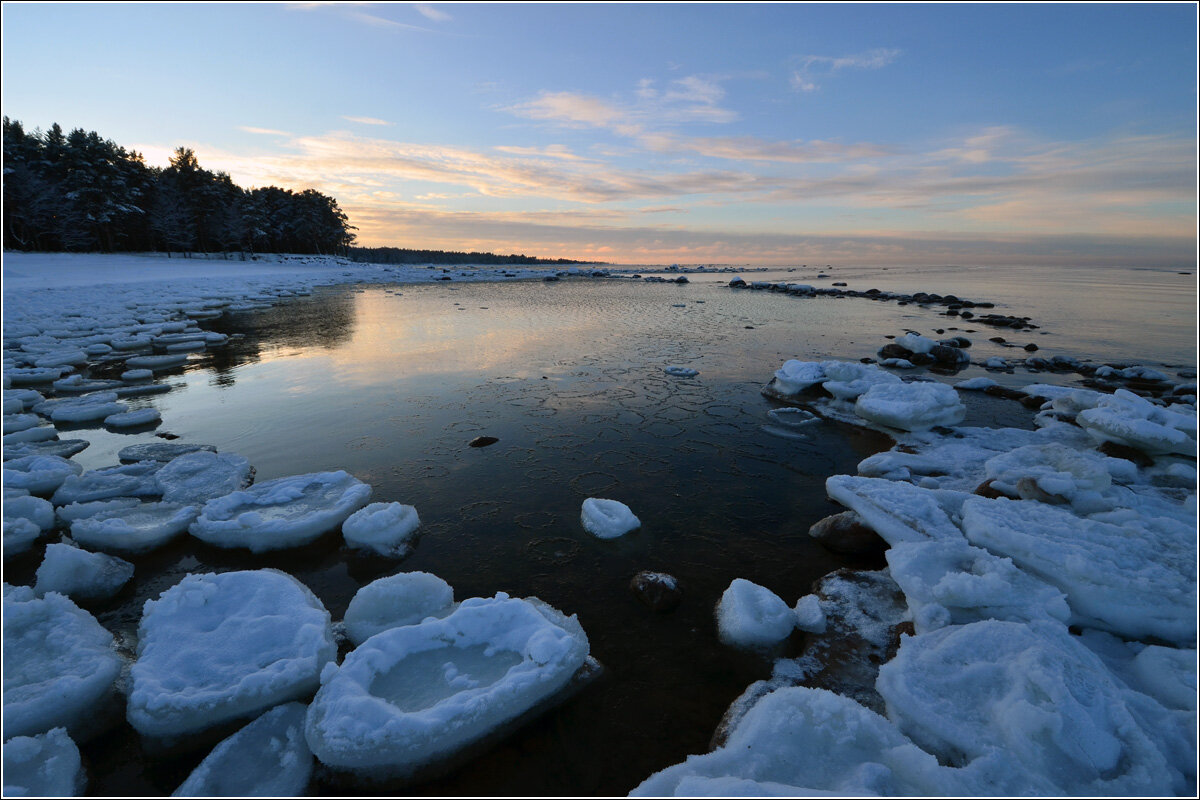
[{"x": 391, "y": 384}]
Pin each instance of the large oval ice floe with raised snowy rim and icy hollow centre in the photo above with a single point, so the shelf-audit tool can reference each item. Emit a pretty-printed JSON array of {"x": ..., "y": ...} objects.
[{"x": 418, "y": 695}]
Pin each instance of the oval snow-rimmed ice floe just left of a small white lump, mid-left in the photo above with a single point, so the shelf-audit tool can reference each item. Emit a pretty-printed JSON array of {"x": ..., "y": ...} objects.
[{"x": 285, "y": 513}]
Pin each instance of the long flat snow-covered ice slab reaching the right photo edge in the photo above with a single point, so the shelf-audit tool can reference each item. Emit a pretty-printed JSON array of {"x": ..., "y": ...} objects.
[{"x": 1136, "y": 584}]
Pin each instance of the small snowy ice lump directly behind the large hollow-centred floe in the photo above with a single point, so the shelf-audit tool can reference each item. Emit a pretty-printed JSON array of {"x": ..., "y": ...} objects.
[{"x": 395, "y": 601}]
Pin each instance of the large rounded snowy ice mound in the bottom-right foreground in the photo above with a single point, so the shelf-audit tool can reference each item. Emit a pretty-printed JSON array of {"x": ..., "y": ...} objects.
[{"x": 1029, "y": 690}]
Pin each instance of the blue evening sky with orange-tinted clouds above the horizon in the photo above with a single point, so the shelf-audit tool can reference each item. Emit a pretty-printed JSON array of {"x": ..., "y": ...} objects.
[{"x": 647, "y": 134}]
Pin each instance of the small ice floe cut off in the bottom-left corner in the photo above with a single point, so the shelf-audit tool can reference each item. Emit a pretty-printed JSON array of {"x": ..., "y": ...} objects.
[{"x": 47, "y": 766}]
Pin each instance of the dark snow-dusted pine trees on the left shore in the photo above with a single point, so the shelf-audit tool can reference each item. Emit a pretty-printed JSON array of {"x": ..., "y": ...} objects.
[{"x": 79, "y": 193}]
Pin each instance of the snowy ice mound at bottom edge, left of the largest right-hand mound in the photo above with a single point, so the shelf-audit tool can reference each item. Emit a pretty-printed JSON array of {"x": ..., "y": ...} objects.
[{"x": 815, "y": 742}]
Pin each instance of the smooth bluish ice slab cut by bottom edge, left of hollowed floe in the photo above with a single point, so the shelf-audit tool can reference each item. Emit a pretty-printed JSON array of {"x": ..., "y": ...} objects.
[{"x": 268, "y": 759}]
